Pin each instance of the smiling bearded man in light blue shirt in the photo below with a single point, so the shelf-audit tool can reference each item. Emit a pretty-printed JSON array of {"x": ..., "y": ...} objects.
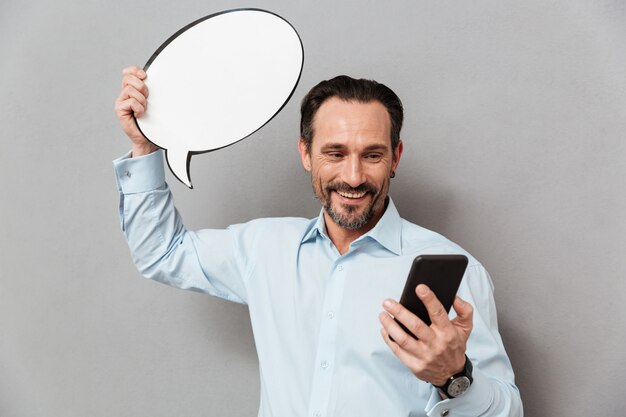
[{"x": 315, "y": 288}]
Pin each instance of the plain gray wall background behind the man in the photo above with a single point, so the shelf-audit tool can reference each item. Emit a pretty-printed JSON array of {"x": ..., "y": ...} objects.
[{"x": 514, "y": 148}]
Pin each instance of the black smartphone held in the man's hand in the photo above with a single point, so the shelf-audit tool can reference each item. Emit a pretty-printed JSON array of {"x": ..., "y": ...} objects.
[{"x": 442, "y": 274}]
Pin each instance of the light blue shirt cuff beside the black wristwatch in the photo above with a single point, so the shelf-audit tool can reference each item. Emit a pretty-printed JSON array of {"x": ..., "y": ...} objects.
[{"x": 473, "y": 403}]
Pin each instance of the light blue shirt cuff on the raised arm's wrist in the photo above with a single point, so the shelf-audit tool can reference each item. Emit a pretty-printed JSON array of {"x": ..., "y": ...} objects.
[{"x": 141, "y": 174}]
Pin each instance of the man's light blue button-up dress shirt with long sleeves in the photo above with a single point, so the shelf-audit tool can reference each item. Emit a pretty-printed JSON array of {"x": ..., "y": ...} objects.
[{"x": 314, "y": 312}]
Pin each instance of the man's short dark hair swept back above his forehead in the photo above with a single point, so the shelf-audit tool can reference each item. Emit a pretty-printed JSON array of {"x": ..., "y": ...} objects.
[{"x": 350, "y": 89}]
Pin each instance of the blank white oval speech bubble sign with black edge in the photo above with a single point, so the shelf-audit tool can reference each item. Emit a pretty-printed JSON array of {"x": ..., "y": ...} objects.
[{"x": 217, "y": 81}]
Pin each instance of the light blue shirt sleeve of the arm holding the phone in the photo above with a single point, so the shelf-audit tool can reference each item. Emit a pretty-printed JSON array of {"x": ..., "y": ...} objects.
[{"x": 493, "y": 392}]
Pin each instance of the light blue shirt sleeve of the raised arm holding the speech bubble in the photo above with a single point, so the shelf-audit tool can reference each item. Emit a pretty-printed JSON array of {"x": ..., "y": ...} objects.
[{"x": 162, "y": 248}]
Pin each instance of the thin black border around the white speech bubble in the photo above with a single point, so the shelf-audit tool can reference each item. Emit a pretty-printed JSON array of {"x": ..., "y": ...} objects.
[{"x": 180, "y": 32}]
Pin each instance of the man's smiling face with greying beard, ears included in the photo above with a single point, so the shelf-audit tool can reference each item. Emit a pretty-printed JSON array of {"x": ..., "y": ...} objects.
[{"x": 351, "y": 160}]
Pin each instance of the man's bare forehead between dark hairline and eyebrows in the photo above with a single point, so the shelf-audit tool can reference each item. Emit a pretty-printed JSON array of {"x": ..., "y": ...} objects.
[{"x": 351, "y": 121}]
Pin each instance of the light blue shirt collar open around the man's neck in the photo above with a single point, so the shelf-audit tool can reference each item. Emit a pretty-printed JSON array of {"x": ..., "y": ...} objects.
[{"x": 387, "y": 232}]
